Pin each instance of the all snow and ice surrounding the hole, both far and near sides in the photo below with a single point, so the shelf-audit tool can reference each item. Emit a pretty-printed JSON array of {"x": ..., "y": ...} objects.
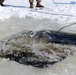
[{"x": 17, "y": 16}]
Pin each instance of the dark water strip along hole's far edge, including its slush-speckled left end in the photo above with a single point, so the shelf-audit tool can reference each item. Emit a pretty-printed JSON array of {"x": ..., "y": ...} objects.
[{"x": 57, "y": 37}]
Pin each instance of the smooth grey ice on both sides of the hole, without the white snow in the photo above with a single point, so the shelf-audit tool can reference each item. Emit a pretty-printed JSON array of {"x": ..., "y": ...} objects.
[{"x": 14, "y": 26}]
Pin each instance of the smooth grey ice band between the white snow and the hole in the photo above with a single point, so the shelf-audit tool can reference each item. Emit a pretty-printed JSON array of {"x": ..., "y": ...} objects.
[{"x": 15, "y": 25}]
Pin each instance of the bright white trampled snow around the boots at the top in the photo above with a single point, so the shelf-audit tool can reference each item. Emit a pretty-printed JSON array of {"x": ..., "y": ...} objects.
[{"x": 59, "y": 13}]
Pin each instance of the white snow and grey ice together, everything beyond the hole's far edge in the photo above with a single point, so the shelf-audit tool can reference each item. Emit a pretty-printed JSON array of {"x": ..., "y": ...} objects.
[{"x": 52, "y": 17}]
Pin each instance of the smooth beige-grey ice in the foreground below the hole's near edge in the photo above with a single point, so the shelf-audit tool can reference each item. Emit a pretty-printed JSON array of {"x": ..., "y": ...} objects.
[{"x": 66, "y": 67}]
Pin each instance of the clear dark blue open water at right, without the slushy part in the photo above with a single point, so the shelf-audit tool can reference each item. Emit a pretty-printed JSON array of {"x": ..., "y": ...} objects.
[{"x": 63, "y": 38}]
